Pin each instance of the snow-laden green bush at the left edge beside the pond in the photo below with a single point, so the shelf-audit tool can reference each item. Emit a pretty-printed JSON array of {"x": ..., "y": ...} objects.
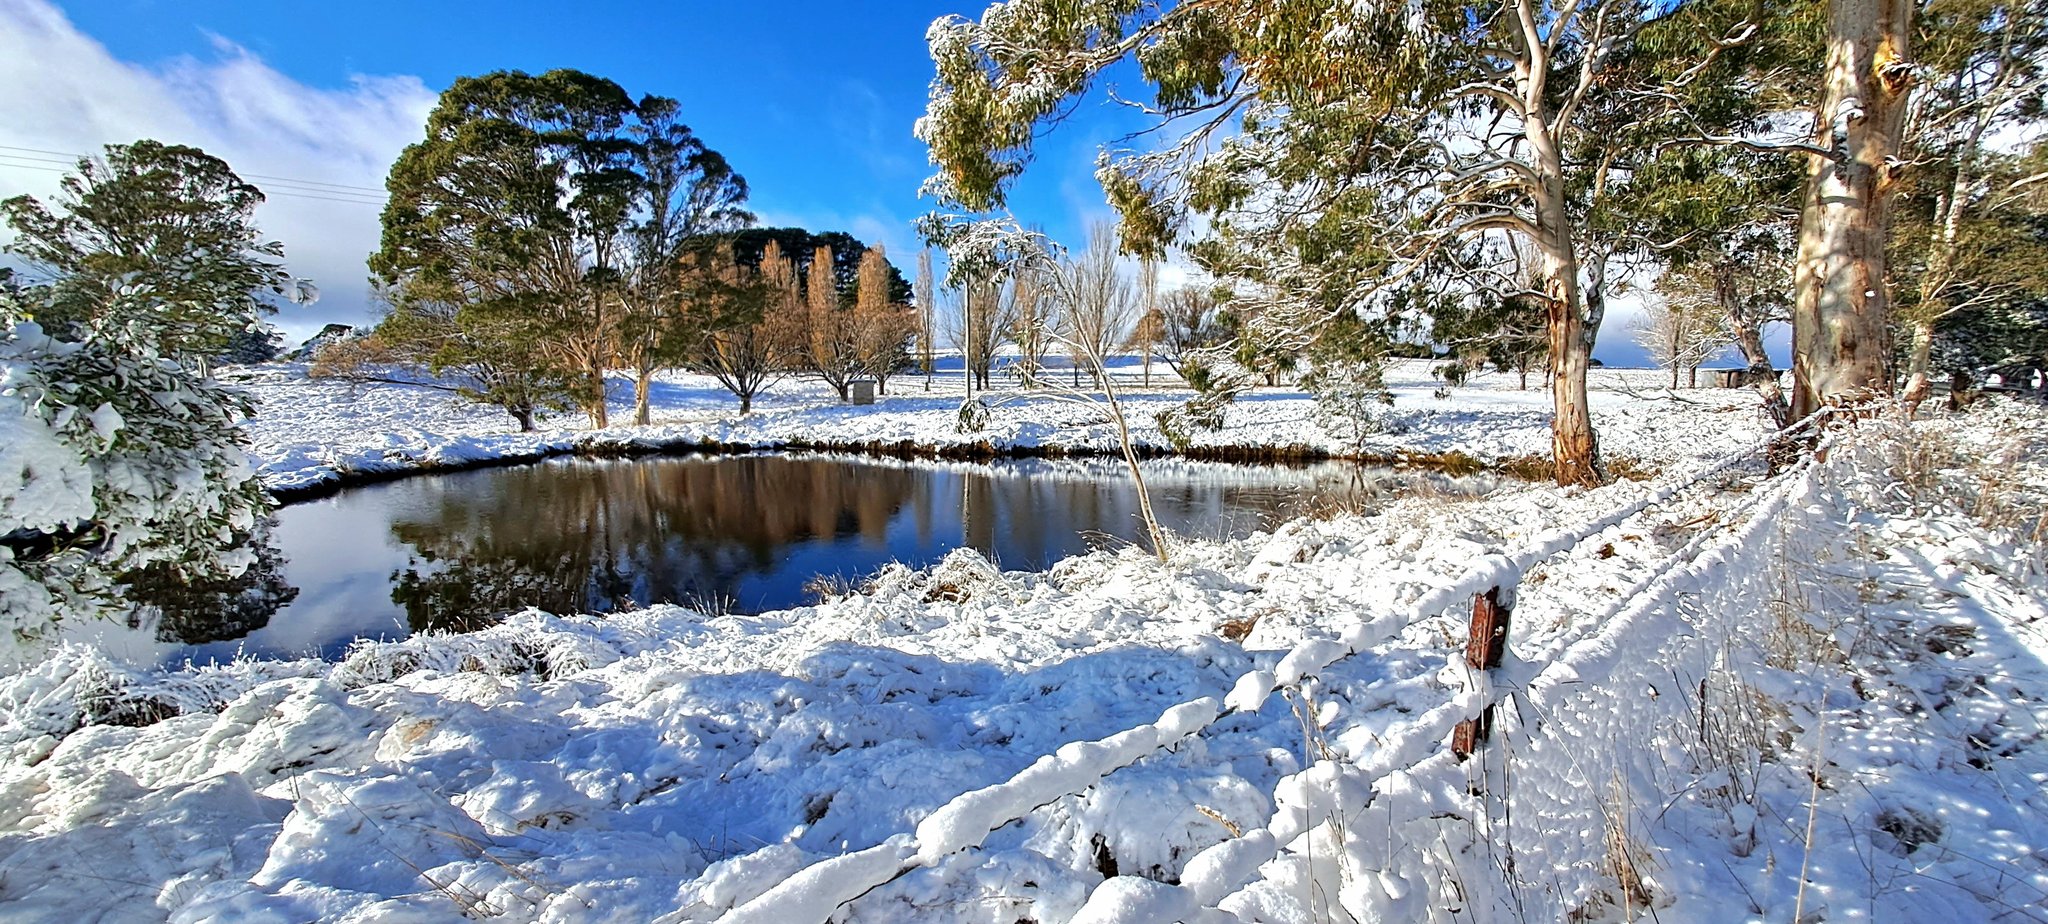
[{"x": 112, "y": 460}]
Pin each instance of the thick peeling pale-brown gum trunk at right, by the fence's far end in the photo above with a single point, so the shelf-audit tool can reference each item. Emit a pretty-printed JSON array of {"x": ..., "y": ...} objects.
[{"x": 1840, "y": 302}]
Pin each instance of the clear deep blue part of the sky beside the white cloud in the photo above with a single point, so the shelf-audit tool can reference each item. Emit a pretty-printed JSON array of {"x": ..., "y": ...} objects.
[{"x": 812, "y": 101}]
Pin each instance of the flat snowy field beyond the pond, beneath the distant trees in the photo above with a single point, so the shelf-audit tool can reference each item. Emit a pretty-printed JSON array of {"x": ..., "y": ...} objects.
[{"x": 312, "y": 431}]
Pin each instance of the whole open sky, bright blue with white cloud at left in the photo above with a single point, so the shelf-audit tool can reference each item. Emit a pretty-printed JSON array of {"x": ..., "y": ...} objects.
[{"x": 812, "y": 101}]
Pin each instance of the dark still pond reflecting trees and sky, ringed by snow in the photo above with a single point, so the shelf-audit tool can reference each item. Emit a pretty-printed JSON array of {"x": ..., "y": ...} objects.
[{"x": 738, "y": 534}]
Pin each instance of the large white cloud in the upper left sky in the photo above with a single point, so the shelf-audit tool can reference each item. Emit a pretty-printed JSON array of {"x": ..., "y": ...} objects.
[{"x": 62, "y": 91}]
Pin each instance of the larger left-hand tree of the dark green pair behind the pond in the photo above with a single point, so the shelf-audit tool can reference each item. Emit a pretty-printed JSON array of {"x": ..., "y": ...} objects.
[{"x": 519, "y": 212}]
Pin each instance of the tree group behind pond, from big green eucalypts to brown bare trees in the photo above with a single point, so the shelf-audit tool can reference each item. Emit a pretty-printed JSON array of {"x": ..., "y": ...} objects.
[{"x": 552, "y": 228}]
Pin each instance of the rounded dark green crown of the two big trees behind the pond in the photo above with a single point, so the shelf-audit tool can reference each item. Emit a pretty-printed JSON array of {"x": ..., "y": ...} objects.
[{"x": 540, "y": 235}]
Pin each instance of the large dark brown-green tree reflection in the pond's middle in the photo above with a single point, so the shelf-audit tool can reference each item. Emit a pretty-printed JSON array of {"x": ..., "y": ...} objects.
[{"x": 597, "y": 538}]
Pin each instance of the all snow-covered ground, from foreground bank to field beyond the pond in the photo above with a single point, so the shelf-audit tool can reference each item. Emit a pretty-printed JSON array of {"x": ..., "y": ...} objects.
[{"x": 1799, "y": 698}]
